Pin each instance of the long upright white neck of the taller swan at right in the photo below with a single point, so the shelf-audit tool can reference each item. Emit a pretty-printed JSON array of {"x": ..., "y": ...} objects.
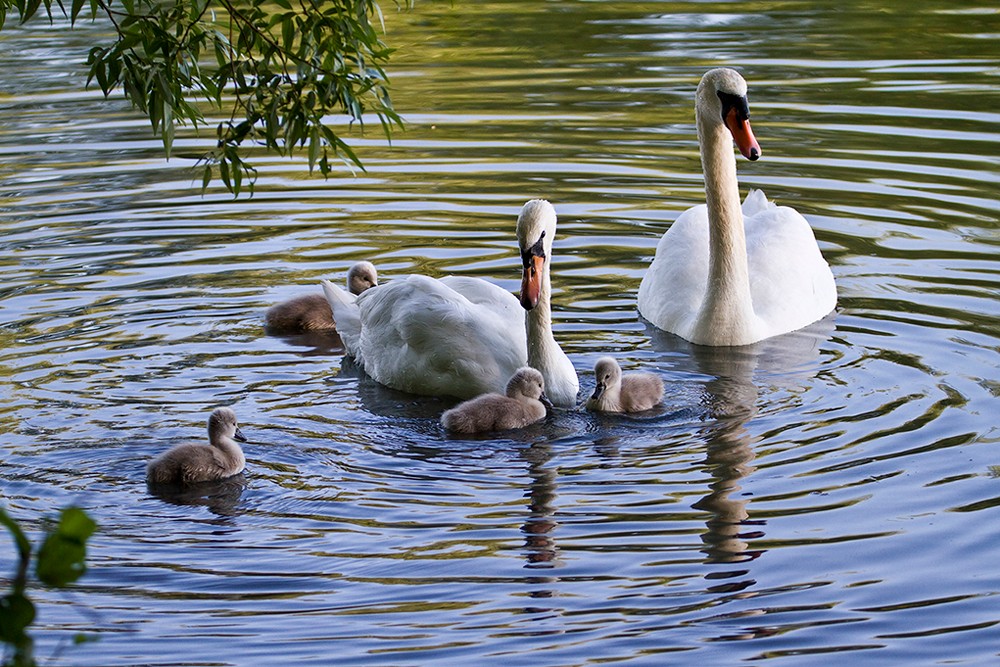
[{"x": 727, "y": 311}]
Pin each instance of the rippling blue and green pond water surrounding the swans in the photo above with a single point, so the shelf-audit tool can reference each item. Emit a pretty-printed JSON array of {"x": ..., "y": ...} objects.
[{"x": 834, "y": 491}]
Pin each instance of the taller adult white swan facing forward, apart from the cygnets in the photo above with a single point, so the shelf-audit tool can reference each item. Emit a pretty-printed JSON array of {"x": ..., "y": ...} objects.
[{"x": 730, "y": 275}]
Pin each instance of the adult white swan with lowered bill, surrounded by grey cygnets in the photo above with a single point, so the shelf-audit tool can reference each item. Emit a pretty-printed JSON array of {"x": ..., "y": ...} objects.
[{"x": 461, "y": 336}]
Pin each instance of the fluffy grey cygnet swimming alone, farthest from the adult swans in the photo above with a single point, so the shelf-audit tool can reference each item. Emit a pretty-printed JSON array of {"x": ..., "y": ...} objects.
[{"x": 195, "y": 462}]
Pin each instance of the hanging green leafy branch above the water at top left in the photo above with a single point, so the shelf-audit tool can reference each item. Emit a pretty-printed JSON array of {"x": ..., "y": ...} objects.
[{"x": 272, "y": 69}]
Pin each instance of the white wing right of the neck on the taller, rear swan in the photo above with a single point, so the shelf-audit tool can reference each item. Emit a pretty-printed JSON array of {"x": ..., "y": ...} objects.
[{"x": 791, "y": 285}]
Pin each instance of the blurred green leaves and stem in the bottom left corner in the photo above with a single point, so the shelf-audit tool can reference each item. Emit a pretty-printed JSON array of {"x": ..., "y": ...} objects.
[{"x": 59, "y": 562}]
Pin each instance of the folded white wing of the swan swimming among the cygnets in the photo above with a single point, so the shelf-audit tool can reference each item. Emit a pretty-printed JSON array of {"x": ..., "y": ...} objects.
[{"x": 421, "y": 336}]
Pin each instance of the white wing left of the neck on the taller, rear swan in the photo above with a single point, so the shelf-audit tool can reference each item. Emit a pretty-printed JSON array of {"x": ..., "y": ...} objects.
[{"x": 674, "y": 286}]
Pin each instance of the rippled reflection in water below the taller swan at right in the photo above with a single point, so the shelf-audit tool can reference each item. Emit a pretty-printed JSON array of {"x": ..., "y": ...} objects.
[{"x": 730, "y": 397}]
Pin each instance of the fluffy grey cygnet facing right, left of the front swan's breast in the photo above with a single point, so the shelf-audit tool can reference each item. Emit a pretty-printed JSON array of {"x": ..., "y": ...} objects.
[{"x": 525, "y": 403}]
